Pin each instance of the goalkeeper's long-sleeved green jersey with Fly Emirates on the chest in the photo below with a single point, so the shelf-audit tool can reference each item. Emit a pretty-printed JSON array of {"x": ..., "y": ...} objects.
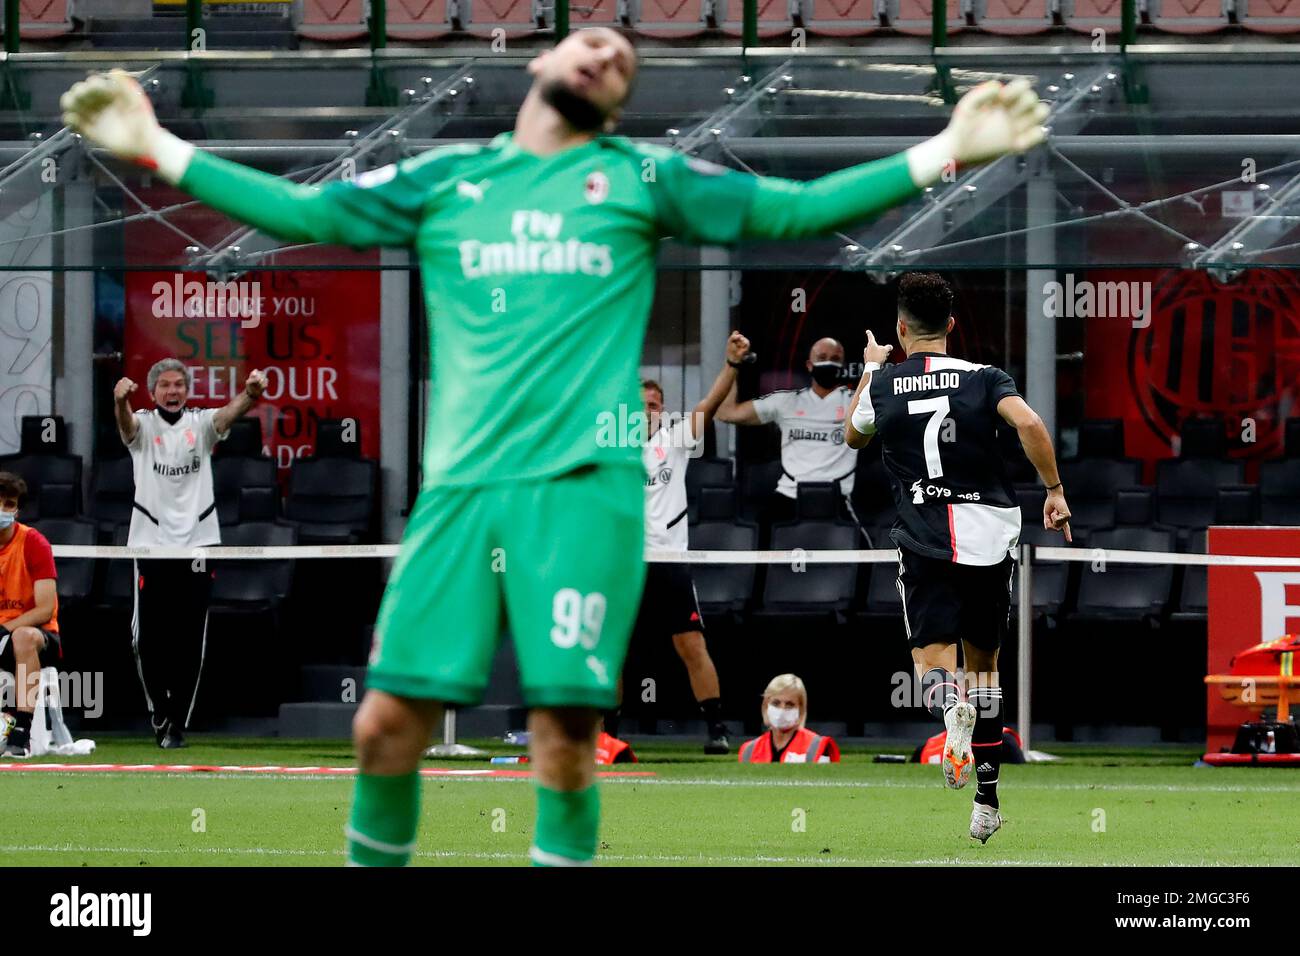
[{"x": 539, "y": 275}]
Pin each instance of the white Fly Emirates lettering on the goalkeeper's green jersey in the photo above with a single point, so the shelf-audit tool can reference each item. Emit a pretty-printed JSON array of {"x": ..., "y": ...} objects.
[{"x": 536, "y": 249}]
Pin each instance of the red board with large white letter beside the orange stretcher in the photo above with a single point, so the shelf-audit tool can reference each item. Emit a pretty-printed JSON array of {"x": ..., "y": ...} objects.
[{"x": 1247, "y": 607}]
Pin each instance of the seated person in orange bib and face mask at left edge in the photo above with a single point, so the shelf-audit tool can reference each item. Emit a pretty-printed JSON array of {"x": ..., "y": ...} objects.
[{"x": 29, "y": 611}]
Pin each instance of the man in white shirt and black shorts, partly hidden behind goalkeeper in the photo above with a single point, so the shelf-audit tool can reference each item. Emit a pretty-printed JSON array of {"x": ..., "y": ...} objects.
[{"x": 669, "y": 604}]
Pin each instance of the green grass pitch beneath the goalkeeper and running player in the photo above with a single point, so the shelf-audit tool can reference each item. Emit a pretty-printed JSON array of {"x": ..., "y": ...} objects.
[{"x": 1095, "y": 807}]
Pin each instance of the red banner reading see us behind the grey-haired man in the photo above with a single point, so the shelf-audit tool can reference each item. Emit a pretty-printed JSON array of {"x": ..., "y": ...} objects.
[{"x": 315, "y": 334}]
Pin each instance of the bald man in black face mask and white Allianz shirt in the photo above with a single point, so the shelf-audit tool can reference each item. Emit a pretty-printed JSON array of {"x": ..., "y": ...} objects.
[{"x": 812, "y": 422}]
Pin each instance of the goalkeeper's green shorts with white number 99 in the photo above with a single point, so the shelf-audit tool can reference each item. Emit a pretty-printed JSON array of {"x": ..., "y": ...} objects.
[{"x": 556, "y": 563}]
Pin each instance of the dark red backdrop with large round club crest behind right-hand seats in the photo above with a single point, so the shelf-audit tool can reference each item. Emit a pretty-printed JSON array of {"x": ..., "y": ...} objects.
[{"x": 1202, "y": 349}]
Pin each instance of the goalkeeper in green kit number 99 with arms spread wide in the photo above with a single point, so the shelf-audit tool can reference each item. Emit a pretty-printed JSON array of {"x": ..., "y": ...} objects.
[{"x": 538, "y": 253}]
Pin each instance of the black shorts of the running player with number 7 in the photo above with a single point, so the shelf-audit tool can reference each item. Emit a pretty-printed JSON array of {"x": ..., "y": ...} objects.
[{"x": 944, "y": 603}]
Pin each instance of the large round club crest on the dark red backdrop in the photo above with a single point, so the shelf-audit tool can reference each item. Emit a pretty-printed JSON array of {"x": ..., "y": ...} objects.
[{"x": 1229, "y": 351}]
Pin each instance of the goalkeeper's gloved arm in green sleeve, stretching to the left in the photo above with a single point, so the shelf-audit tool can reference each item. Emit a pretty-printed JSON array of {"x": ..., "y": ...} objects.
[{"x": 112, "y": 111}]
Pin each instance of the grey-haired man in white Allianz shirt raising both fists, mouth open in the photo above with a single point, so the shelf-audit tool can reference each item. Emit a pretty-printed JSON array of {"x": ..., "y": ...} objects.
[{"x": 171, "y": 449}]
